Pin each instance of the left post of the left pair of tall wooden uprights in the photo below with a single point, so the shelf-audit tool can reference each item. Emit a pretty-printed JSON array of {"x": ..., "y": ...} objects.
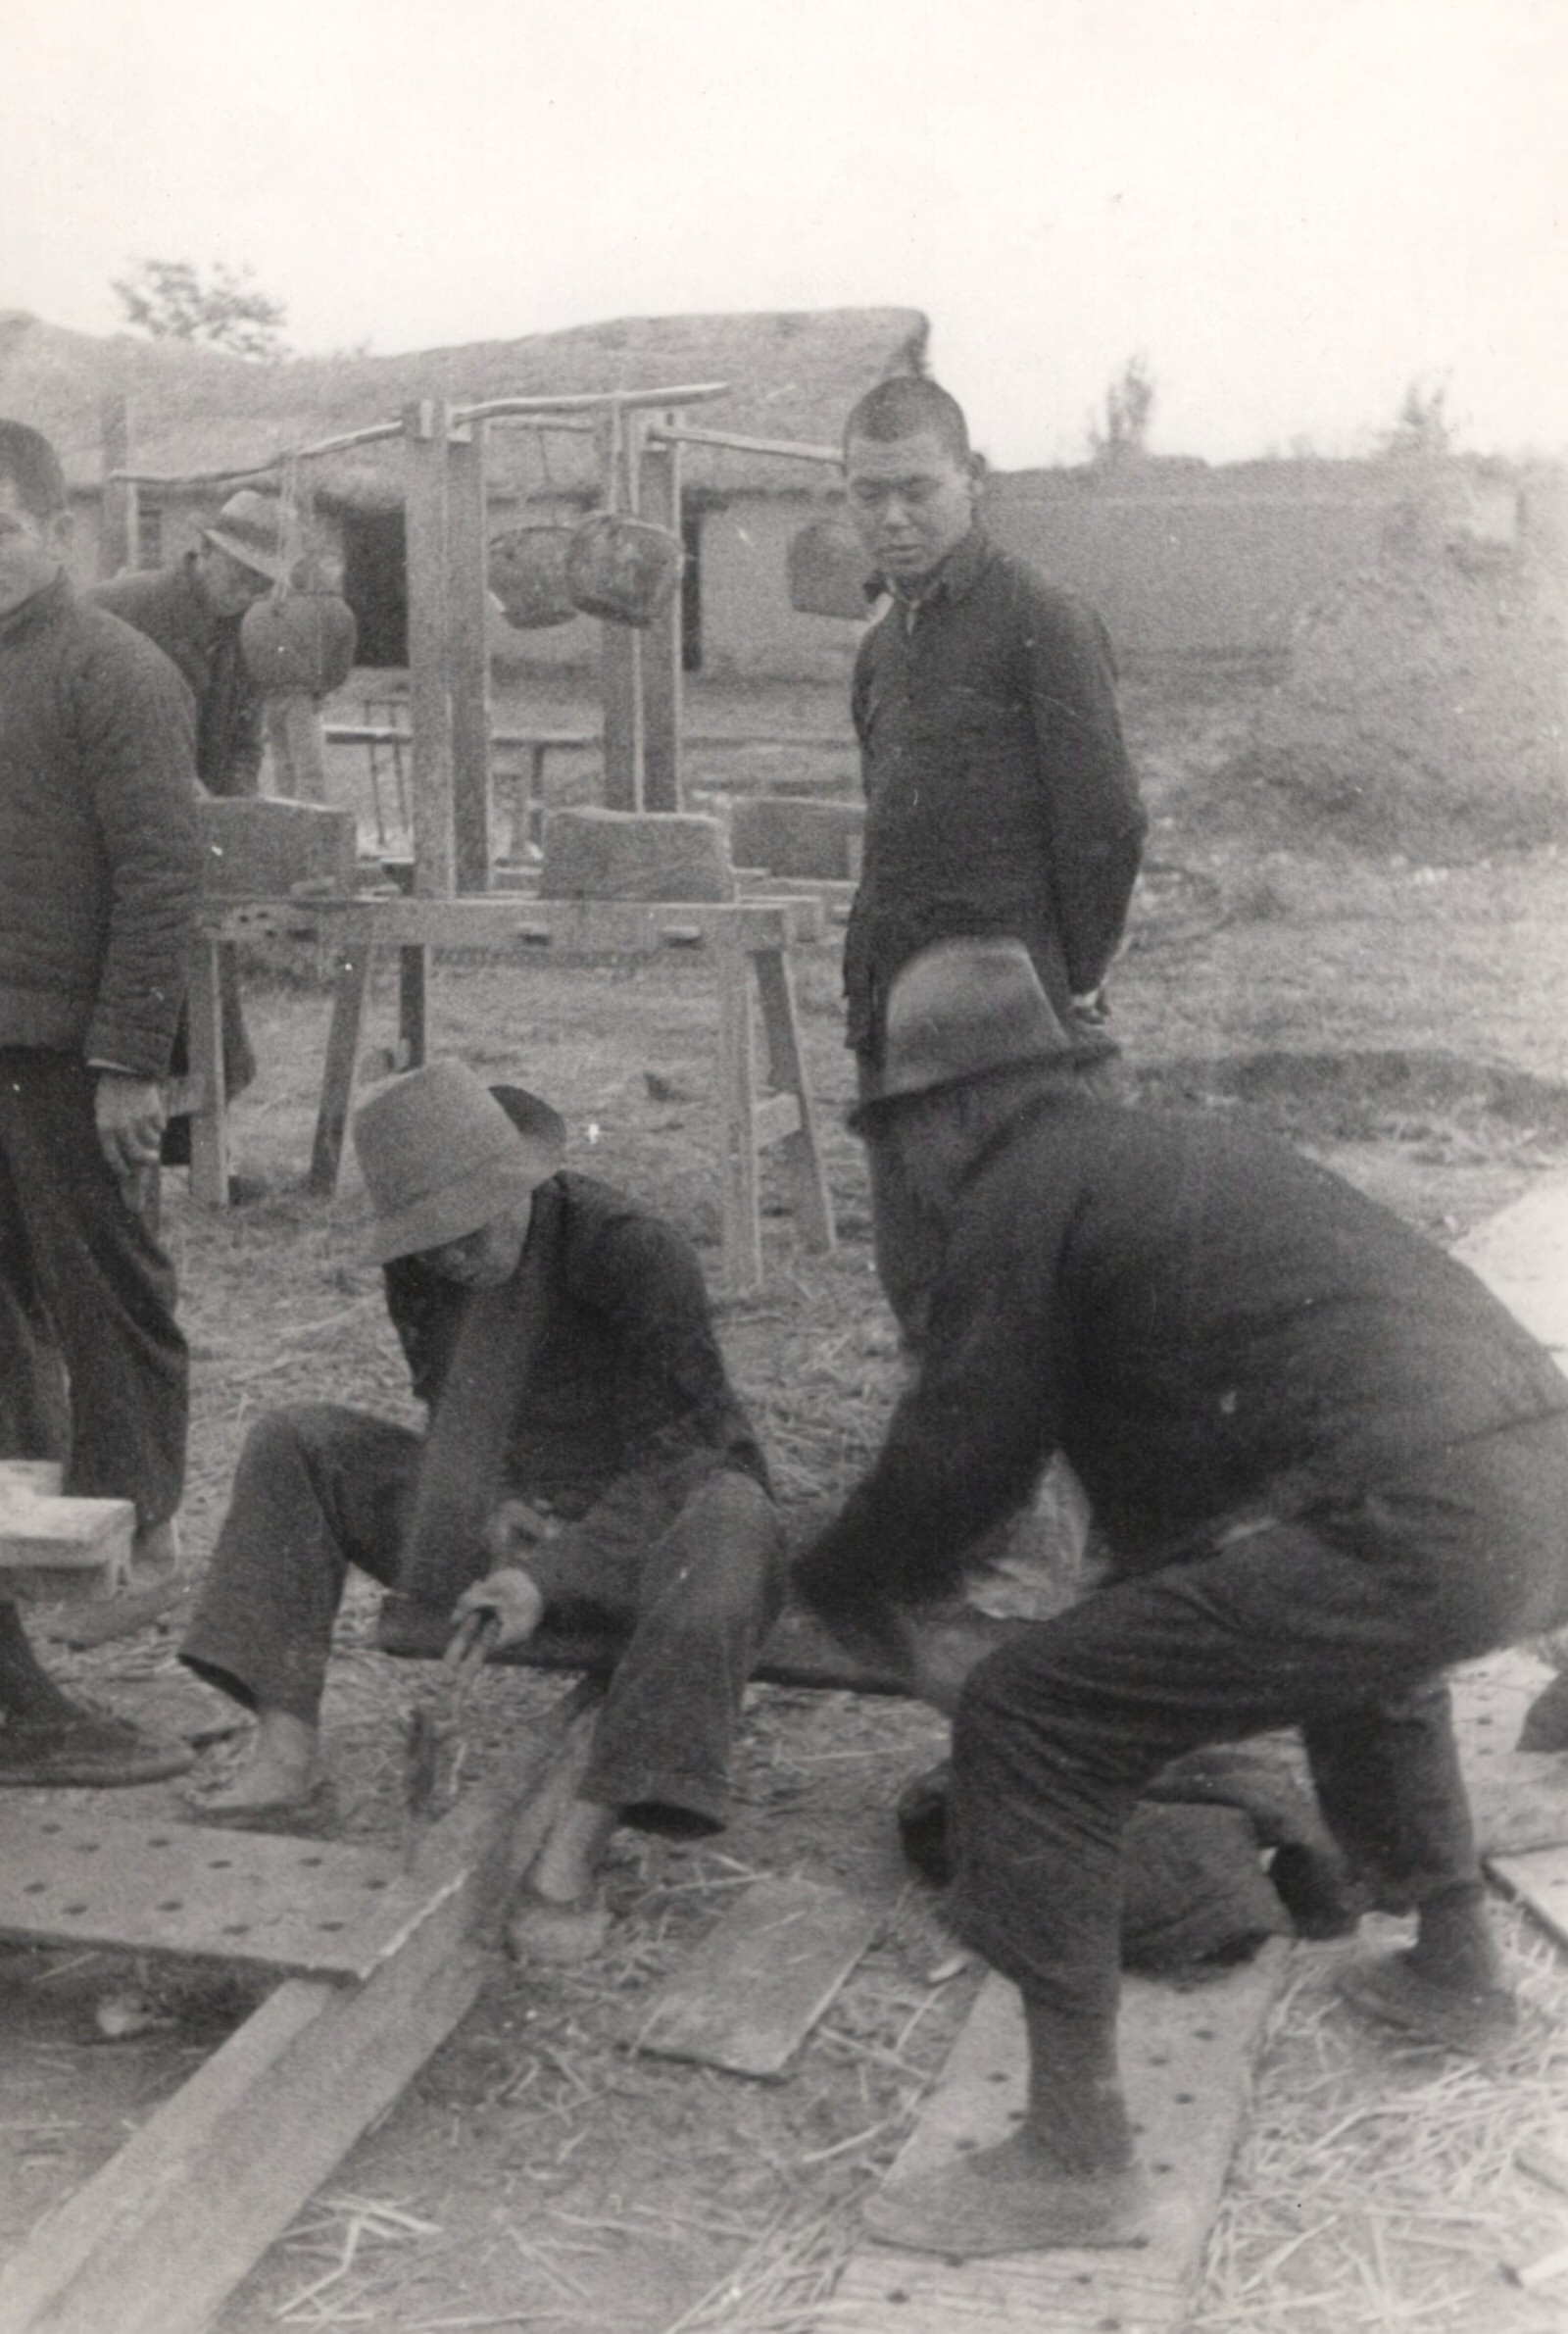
[{"x": 430, "y": 701}]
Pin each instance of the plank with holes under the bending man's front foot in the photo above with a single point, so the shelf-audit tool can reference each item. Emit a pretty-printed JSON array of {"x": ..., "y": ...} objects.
[{"x": 1186, "y": 2060}]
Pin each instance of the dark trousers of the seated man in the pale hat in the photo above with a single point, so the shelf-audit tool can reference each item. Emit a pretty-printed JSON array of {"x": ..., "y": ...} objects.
[{"x": 685, "y": 1558}]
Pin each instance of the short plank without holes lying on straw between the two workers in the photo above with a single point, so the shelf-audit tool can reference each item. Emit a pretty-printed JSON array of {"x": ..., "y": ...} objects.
[{"x": 757, "y": 1985}]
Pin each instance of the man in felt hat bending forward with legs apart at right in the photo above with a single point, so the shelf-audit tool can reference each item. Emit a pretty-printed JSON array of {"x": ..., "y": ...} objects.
[{"x": 1326, "y": 1465}]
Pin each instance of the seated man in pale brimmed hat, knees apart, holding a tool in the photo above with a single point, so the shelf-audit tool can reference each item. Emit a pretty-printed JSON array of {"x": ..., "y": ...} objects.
[{"x": 584, "y": 1451}]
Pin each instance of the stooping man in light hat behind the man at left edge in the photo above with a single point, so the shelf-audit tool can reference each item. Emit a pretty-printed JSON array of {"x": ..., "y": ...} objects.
[{"x": 195, "y": 613}]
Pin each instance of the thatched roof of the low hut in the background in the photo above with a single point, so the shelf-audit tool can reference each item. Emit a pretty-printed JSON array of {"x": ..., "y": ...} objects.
[{"x": 792, "y": 377}]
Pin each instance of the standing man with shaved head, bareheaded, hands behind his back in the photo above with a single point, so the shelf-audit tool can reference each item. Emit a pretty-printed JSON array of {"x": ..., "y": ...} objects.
[{"x": 1000, "y": 797}]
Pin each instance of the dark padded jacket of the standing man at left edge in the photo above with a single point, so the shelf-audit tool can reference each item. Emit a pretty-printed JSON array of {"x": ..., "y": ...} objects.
[{"x": 99, "y": 851}]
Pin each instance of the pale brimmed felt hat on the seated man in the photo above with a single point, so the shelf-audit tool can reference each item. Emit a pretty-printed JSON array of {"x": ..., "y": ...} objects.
[{"x": 442, "y": 1156}]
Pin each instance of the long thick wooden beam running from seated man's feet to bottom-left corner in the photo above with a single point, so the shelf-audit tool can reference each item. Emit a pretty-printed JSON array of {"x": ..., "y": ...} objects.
[{"x": 164, "y": 2232}]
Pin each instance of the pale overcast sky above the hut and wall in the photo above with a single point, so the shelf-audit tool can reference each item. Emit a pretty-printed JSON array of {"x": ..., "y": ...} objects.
[{"x": 1289, "y": 207}]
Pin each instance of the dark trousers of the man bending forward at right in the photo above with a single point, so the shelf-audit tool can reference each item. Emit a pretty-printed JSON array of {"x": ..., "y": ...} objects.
[{"x": 1338, "y": 1626}]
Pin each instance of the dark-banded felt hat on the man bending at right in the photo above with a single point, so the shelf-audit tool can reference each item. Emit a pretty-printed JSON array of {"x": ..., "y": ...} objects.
[{"x": 960, "y": 1012}]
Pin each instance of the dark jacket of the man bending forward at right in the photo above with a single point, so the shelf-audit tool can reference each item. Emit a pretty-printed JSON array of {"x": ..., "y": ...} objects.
[{"x": 1210, "y": 1327}]
